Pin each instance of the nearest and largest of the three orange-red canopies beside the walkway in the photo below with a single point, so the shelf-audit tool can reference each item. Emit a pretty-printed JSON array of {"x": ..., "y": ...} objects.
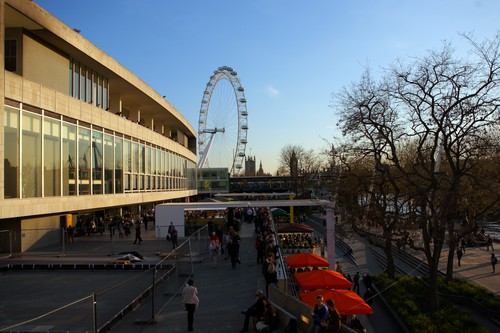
[{"x": 347, "y": 302}]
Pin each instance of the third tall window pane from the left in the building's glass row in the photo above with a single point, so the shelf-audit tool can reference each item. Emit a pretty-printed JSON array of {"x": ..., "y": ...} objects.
[{"x": 51, "y": 158}]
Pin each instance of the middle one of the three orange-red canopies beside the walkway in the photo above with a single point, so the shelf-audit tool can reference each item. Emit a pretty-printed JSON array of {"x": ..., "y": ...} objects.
[{"x": 321, "y": 279}]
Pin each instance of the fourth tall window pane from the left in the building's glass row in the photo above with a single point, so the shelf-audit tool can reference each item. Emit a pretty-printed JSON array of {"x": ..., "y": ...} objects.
[{"x": 69, "y": 159}]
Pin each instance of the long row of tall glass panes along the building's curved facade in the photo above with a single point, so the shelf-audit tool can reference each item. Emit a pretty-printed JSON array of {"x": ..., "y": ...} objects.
[{"x": 69, "y": 159}]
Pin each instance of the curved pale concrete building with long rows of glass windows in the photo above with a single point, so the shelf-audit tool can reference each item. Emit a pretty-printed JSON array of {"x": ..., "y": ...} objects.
[{"x": 81, "y": 134}]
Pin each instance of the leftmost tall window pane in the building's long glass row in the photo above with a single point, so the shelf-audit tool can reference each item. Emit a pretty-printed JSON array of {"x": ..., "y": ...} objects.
[{"x": 11, "y": 153}]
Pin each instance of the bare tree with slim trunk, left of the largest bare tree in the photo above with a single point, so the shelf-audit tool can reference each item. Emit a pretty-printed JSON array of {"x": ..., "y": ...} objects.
[{"x": 373, "y": 127}]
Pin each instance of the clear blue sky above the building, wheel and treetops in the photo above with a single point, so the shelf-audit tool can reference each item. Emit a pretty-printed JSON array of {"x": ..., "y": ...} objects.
[{"x": 290, "y": 55}]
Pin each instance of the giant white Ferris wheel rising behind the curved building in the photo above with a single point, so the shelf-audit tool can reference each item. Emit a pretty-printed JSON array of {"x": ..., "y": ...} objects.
[{"x": 223, "y": 122}]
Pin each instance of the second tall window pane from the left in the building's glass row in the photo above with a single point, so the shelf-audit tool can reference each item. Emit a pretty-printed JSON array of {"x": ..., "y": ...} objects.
[{"x": 31, "y": 155}]
